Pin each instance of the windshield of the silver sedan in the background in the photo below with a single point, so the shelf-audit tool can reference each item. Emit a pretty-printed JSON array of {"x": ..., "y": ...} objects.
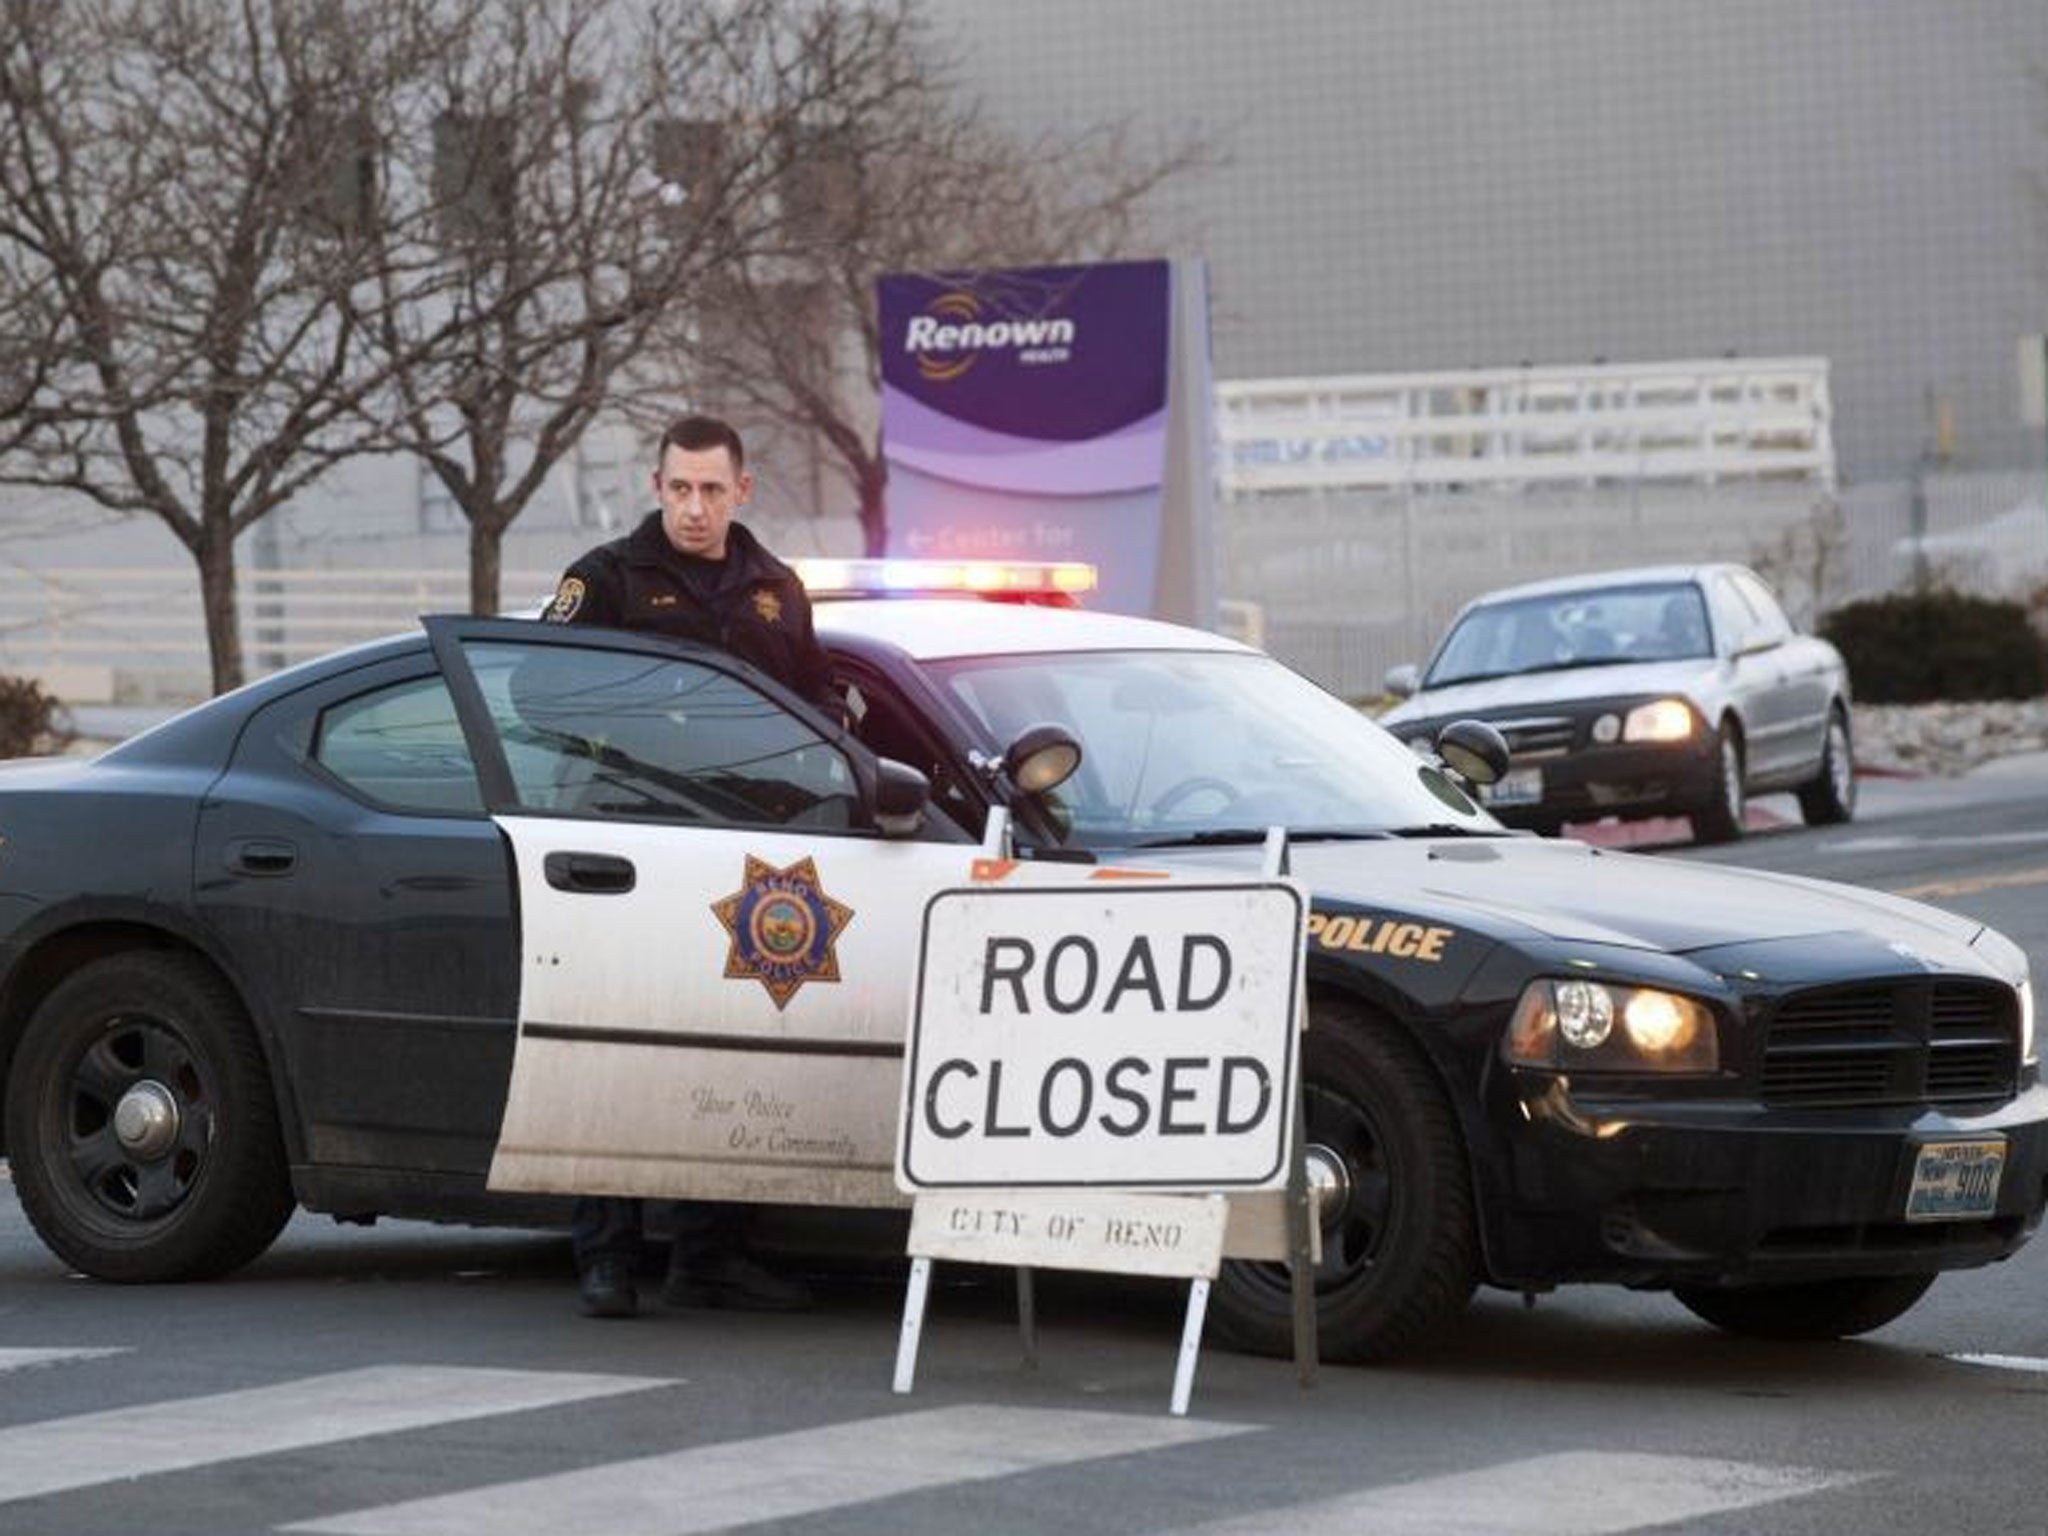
[{"x": 1660, "y": 622}]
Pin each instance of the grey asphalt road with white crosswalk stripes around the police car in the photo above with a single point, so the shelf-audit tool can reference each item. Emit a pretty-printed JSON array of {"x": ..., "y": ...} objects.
[{"x": 415, "y": 1379}]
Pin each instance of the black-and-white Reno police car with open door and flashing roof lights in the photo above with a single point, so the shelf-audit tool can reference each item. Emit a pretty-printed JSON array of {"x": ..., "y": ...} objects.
[{"x": 509, "y": 906}]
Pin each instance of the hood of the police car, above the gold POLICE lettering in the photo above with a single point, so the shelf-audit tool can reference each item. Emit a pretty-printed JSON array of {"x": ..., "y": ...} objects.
[{"x": 1562, "y": 890}]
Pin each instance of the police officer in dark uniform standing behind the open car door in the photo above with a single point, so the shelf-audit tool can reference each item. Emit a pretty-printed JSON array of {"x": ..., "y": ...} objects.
[{"x": 691, "y": 572}]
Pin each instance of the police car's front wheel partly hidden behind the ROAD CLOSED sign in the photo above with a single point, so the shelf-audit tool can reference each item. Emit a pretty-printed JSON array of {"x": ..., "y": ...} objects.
[{"x": 1400, "y": 1246}]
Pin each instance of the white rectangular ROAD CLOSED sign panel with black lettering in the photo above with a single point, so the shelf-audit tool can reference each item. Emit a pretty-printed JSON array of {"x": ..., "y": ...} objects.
[{"x": 1105, "y": 1037}]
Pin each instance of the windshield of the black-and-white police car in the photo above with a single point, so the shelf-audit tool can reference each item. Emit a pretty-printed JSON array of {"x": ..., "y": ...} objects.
[{"x": 1207, "y": 746}]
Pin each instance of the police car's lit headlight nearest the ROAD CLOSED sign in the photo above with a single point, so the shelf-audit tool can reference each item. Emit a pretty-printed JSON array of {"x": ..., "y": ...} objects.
[{"x": 1594, "y": 1027}]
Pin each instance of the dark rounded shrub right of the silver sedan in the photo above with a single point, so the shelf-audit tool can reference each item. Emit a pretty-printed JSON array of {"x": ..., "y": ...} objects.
[{"x": 1912, "y": 648}]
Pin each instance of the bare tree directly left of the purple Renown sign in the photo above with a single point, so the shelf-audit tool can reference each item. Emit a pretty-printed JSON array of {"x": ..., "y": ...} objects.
[{"x": 892, "y": 171}]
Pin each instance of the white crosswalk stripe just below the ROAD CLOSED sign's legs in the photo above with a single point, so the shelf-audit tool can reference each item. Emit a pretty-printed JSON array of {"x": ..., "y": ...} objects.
[{"x": 781, "y": 1478}]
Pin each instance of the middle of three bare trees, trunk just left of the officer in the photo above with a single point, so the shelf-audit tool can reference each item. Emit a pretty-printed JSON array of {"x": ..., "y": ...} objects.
[{"x": 550, "y": 185}]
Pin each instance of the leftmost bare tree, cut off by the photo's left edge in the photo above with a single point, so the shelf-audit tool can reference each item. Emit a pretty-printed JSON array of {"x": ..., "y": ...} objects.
[{"x": 183, "y": 189}]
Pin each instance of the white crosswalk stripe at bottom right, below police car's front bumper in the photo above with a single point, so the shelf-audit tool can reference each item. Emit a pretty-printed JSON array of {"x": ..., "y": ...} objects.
[{"x": 1574, "y": 1494}]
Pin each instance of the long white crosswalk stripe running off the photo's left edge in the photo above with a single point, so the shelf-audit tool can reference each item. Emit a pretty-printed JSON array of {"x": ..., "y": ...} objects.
[{"x": 89, "y": 1449}]
